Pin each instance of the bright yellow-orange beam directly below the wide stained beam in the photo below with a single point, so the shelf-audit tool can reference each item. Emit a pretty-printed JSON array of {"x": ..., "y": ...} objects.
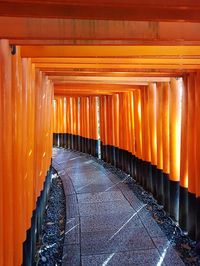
[{"x": 108, "y": 51}]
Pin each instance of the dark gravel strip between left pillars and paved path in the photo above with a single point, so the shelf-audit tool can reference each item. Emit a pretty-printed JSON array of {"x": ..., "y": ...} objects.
[{"x": 50, "y": 245}]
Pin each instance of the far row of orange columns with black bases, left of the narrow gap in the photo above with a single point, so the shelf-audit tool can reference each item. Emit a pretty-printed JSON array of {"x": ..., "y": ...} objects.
[{"x": 75, "y": 123}]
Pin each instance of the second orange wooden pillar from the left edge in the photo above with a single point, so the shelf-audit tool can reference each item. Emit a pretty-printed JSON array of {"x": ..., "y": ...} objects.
[{"x": 18, "y": 232}]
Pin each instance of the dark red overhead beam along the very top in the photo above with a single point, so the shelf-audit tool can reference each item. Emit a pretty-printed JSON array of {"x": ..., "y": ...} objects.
[{"x": 125, "y": 10}]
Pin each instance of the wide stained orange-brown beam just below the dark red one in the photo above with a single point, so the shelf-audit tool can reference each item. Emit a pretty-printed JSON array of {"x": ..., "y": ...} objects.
[{"x": 26, "y": 30}]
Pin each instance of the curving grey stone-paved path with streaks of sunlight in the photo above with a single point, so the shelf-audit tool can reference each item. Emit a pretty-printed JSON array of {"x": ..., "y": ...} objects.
[{"x": 106, "y": 224}]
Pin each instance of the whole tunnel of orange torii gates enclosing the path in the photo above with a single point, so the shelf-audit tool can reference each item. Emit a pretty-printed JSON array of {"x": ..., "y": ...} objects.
[{"x": 120, "y": 81}]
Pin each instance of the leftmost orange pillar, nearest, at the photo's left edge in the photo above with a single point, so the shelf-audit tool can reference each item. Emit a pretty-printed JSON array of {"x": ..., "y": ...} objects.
[{"x": 6, "y": 152}]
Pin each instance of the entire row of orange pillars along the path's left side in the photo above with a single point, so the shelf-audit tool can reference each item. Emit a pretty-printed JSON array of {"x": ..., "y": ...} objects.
[{"x": 25, "y": 150}]
